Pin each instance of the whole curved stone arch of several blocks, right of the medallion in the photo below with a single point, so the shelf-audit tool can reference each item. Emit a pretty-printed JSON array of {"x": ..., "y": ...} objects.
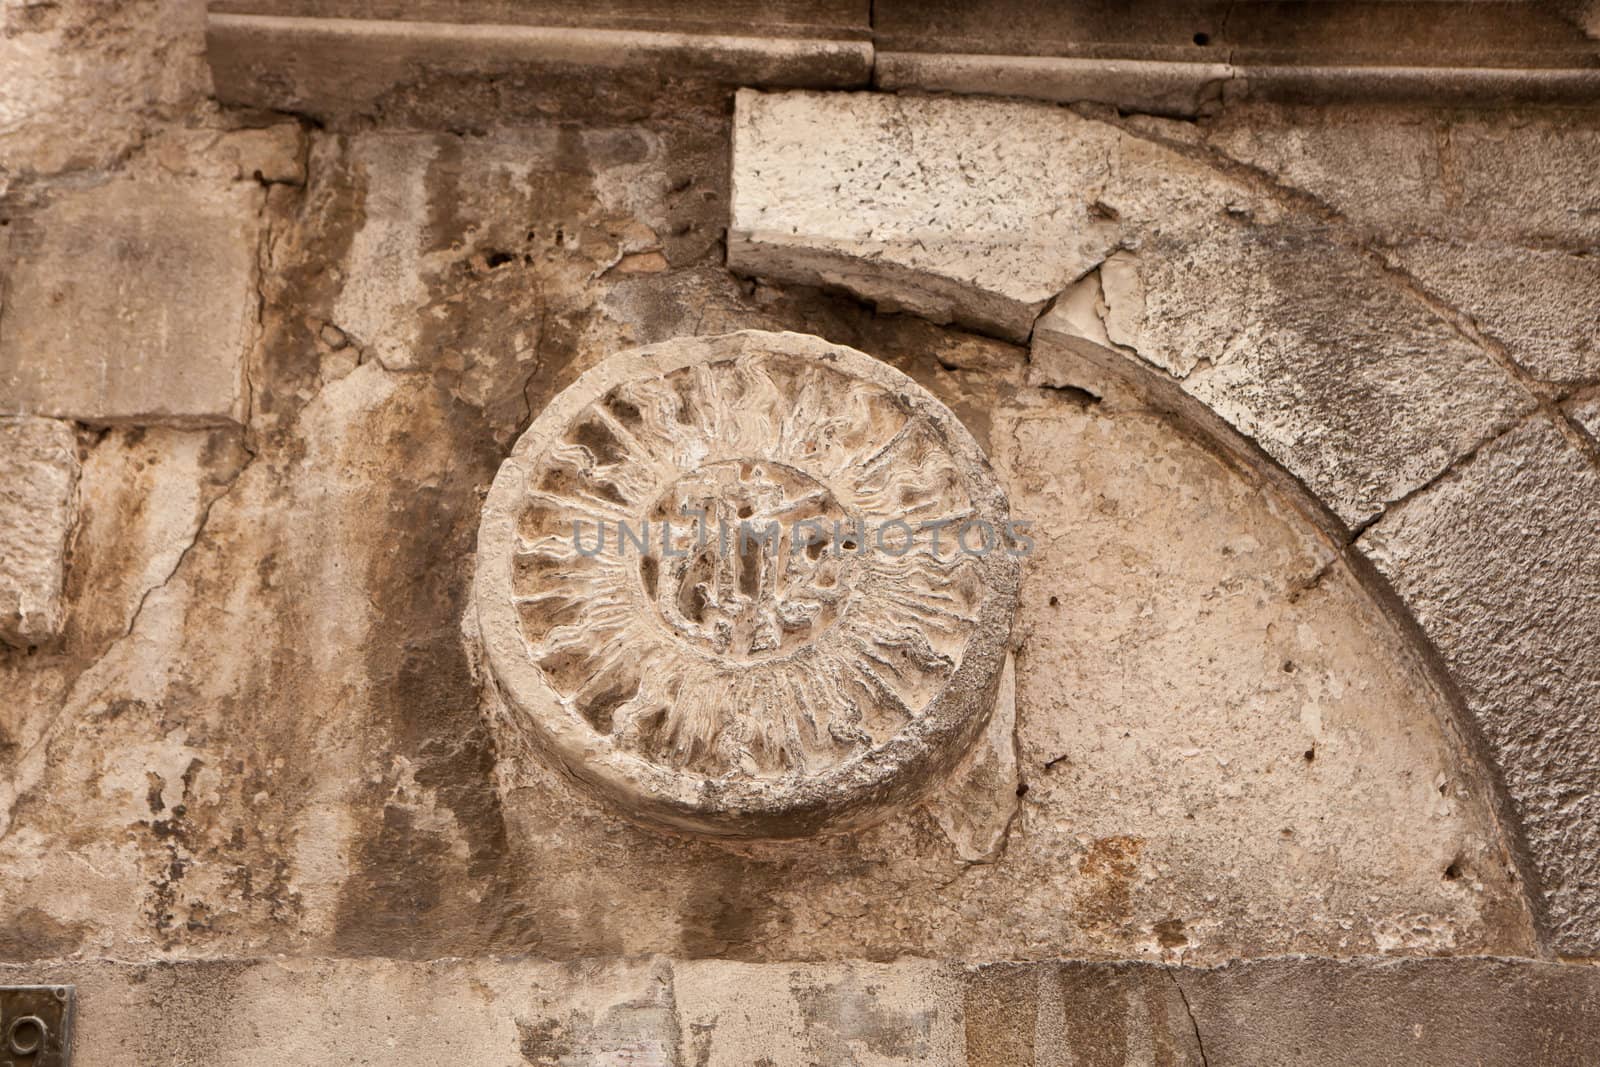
[{"x": 1276, "y": 332}]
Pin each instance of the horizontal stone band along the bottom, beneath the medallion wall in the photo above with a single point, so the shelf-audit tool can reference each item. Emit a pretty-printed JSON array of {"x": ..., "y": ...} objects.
[{"x": 718, "y": 1013}]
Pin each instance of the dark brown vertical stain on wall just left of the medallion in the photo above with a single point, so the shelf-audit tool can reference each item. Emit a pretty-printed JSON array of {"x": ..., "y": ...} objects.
[{"x": 409, "y": 893}]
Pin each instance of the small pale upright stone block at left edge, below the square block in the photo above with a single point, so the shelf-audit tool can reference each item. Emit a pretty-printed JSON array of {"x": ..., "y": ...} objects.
[{"x": 39, "y": 476}]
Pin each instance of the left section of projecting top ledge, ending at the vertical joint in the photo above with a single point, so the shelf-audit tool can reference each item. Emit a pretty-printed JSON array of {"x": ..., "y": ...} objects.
[{"x": 351, "y": 66}]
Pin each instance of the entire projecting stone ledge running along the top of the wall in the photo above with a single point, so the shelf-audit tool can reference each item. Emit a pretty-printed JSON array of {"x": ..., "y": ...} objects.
[{"x": 334, "y": 66}]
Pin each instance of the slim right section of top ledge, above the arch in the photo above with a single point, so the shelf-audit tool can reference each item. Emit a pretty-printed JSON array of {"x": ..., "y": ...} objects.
[{"x": 1194, "y": 89}]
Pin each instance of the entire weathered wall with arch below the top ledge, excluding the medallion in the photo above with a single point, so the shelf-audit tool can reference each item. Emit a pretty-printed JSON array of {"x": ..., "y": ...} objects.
[{"x": 1302, "y": 406}]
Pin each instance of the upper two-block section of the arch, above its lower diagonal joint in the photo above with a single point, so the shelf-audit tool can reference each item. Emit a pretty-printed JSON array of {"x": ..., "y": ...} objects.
[{"x": 985, "y": 212}]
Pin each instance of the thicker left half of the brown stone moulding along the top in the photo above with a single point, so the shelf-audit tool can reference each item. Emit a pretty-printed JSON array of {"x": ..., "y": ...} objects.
[{"x": 342, "y": 68}]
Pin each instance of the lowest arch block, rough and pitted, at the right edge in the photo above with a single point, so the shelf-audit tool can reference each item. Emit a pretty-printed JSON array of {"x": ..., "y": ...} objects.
[{"x": 1502, "y": 567}]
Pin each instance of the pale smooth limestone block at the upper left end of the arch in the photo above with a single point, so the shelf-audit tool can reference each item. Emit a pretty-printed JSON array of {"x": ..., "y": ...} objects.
[{"x": 977, "y": 212}]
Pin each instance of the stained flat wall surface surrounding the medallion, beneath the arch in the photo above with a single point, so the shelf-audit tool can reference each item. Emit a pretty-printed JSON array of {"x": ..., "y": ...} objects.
[{"x": 322, "y": 793}]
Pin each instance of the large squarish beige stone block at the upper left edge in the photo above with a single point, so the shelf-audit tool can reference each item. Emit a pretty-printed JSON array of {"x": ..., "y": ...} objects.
[{"x": 132, "y": 303}]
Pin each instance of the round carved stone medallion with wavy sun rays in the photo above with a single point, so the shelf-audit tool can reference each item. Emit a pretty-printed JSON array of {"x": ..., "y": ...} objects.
[{"x": 751, "y": 586}]
